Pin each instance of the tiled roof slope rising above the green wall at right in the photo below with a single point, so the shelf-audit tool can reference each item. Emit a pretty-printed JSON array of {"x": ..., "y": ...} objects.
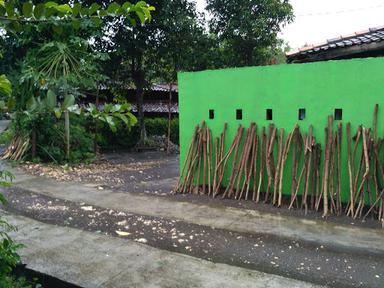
[{"x": 357, "y": 38}]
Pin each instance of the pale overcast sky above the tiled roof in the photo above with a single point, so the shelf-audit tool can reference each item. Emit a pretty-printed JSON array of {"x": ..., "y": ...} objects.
[{"x": 318, "y": 20}]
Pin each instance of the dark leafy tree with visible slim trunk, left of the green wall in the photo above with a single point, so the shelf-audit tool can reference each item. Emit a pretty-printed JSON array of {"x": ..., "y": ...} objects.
[{"x": 141, "y": 53}]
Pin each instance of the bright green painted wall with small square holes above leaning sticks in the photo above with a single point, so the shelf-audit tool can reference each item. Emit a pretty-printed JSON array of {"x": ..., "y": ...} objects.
[{"x": 353, "y": 85}]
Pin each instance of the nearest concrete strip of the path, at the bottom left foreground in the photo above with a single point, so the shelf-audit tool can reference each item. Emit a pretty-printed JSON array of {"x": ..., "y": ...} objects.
[{"x": 93, "y": 260}]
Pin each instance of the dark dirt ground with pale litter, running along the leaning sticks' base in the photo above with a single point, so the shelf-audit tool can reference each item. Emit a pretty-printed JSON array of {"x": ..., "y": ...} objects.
[{"x": 156, "y": 173}]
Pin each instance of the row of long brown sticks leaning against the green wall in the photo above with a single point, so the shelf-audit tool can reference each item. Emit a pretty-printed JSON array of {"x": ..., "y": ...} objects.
[{"x": 257, "y": 167}]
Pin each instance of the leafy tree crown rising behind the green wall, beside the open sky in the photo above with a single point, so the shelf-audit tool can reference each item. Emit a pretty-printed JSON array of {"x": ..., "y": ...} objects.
[{"x": 247, "y": 29}]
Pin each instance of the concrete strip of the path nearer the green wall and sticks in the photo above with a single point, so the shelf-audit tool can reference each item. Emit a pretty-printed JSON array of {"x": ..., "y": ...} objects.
[{"x": 234, "y": 219}]
